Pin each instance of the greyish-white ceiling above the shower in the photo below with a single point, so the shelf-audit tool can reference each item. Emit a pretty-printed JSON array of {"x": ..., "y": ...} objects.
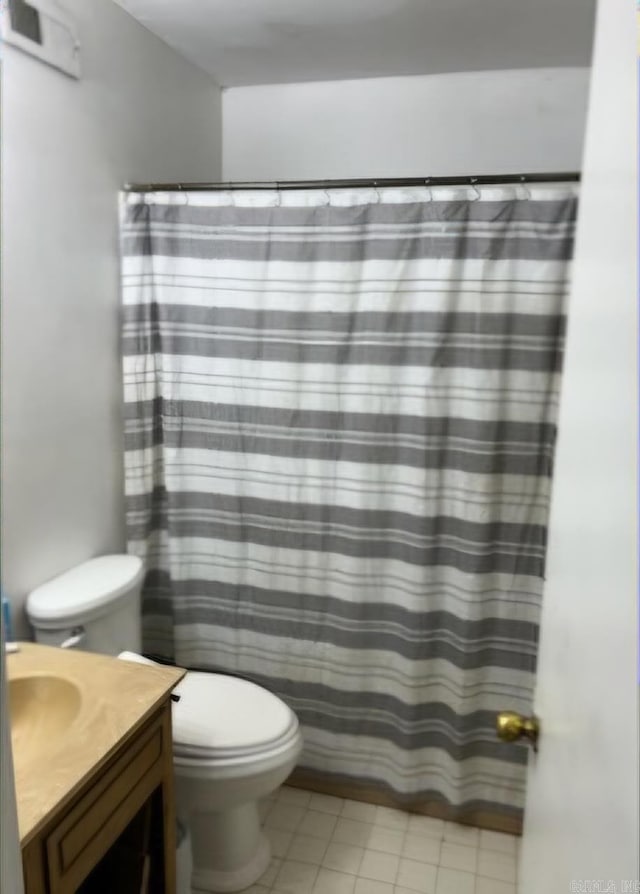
[{"x": 242, "y": 42}]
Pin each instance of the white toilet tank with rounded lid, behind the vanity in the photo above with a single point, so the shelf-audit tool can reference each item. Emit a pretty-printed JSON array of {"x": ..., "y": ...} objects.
[{"x": 94, "y": 606}]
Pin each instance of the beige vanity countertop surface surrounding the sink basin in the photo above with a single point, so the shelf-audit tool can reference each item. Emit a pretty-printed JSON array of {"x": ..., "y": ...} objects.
[{"x": 117, "y": 698}]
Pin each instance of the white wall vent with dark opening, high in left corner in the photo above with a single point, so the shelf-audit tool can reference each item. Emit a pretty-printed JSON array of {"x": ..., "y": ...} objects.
[{"x": 44, "y": 30}]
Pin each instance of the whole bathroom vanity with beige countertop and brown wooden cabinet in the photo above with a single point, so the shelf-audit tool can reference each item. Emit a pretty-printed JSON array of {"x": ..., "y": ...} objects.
[{"x": 95, "y": 798}]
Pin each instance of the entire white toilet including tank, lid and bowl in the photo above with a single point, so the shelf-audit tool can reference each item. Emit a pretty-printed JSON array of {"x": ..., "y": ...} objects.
[{"x": 233, "y": 741}]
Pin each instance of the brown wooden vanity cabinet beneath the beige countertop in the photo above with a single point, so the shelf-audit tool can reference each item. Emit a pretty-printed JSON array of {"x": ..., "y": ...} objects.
[{"x": 122, "y": 820}]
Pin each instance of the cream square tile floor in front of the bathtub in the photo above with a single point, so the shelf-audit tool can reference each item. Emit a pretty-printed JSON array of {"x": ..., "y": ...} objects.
[{"x": 327, "y": 845}]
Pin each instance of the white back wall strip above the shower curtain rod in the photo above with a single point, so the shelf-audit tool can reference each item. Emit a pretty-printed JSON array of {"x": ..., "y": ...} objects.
[{"x": 483, "y": 122}]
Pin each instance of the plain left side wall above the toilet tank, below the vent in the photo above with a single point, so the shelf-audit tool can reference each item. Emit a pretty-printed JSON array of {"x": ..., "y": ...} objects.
[{"x": 140, "y": 112}]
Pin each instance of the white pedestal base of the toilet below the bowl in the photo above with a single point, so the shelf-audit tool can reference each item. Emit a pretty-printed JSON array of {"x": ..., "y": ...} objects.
[{"x": 230, "y": 850}]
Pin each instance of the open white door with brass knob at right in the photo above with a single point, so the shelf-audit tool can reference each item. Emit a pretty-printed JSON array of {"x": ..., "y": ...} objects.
[{"x": 581, "y": 820}]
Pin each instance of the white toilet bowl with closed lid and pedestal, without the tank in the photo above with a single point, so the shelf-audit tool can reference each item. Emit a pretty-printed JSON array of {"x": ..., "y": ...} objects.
[{"x": 233, "y": 743}]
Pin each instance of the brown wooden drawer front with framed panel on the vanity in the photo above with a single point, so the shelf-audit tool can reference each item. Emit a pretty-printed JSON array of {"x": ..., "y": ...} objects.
[{"x": 101, "y": 814}]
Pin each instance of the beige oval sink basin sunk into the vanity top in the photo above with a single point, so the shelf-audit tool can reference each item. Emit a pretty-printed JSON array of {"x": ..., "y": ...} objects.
[{"x": 41, "y": 708}]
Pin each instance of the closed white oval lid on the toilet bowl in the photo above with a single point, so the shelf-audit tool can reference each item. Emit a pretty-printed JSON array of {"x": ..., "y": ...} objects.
[{"x": 227, "y": 715}]
